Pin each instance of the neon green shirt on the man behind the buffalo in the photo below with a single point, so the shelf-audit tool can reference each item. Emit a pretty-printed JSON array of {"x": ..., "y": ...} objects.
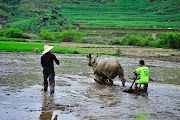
[{"x": 144, "y": 73}]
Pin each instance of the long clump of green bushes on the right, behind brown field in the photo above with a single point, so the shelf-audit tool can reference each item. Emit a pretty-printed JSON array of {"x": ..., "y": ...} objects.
[{"x": 163, "y": 40}]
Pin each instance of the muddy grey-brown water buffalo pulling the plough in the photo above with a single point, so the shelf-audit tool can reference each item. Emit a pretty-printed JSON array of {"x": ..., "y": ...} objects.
[{"x": 105, "y": 70}]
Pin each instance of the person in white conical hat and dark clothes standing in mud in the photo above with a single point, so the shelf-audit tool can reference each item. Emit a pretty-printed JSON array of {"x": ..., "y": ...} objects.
[{"x": 47, "y": 62}]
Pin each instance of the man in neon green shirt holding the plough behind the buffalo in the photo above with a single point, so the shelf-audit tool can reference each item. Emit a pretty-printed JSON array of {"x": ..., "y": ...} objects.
[{"x": 144, "y": 75}]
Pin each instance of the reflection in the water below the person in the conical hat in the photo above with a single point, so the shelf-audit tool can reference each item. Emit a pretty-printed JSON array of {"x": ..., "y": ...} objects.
[{"x": 47, "y": 108}]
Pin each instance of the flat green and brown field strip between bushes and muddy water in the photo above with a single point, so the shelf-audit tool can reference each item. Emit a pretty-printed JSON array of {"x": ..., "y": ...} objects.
[{"x": 80, "y": 48}]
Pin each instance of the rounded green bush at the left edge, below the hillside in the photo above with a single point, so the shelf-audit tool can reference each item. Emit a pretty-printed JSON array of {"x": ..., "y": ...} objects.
[{"x": 12, "y": 33}]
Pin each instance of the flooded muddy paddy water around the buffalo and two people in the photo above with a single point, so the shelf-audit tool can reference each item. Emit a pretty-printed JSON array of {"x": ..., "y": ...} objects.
[{"x": 78, "y": 97}]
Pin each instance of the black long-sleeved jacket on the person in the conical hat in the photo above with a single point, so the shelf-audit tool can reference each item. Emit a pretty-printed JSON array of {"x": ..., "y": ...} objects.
[{"x": 47, "y": 62}]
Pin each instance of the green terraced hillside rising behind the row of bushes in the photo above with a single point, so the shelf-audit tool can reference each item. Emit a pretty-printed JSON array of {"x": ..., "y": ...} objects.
[{"x": 70, "y": 14}]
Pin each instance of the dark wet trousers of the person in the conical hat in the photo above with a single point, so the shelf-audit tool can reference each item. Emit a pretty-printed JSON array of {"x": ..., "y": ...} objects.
[{"x": 51, "y": 77}]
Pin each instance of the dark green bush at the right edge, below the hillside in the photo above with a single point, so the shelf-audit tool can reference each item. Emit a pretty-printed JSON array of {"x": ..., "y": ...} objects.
[{"x": 169, "y": 40}]
